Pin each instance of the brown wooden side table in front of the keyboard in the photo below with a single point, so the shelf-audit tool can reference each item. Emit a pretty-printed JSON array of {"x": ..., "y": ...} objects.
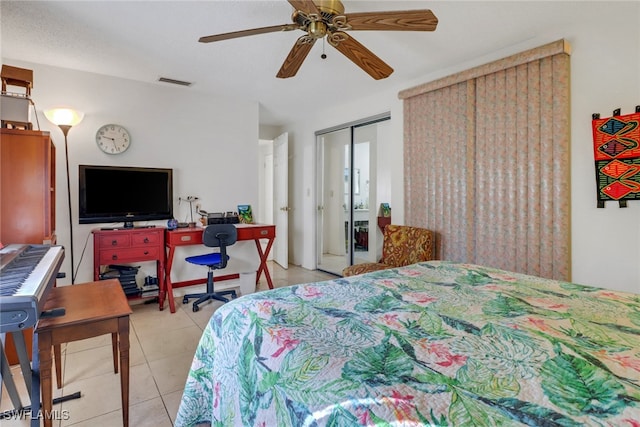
[{"x": 92, "y": 309}]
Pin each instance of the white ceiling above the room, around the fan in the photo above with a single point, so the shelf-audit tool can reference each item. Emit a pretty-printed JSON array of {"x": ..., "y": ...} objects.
[{"x": 145, "y": 40}]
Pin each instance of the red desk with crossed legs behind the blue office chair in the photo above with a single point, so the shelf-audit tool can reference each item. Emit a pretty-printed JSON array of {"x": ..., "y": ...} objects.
[{"x": 193, "y": 236}]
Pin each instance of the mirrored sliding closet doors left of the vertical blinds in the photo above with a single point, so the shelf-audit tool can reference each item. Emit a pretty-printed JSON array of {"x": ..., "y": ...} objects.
[{"x": 347, "y": 198}]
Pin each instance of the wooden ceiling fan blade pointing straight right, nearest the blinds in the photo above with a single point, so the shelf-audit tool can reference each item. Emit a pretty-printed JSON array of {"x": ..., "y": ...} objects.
[{"x": 408, "y": 20}]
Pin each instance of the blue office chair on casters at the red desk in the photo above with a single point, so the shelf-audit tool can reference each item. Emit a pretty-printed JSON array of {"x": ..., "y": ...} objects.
[{"x": 213, "y": 236}]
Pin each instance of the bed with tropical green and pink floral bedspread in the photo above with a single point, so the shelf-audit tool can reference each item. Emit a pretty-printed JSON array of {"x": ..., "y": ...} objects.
[{"x": 435, "y": 343}]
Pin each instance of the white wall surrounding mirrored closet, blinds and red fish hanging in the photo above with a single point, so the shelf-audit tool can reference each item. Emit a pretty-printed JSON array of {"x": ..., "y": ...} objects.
[{"x": 605, "y": 72}]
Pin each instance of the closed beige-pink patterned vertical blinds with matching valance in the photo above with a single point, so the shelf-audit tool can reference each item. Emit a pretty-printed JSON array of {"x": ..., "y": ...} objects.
[{"x": 487, "y": 166}]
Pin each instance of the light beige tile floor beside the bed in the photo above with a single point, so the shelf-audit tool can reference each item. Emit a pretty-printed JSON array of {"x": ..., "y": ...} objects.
[{"x": 162, "y": 347}]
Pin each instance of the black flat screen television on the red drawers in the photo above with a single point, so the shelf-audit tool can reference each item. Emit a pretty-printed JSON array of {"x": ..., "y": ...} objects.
[{"x": 124, "y": 194}]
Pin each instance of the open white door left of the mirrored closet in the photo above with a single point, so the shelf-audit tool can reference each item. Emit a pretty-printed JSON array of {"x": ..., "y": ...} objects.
[{"x": 281, "y": 199}]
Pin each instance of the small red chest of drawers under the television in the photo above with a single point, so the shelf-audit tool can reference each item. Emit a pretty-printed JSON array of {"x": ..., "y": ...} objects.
[{"x": 125, "y": 246}]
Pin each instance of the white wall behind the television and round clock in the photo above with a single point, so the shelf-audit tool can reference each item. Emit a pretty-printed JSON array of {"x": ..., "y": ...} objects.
[{"x": 210, "y": 143}]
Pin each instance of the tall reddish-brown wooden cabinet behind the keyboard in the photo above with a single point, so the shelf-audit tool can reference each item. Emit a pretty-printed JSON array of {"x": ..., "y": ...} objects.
[{"x": 27, "y": 187}]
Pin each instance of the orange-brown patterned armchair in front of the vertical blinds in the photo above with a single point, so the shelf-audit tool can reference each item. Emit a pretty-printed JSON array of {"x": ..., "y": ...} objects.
[{"x": 402, "y": 245}]
